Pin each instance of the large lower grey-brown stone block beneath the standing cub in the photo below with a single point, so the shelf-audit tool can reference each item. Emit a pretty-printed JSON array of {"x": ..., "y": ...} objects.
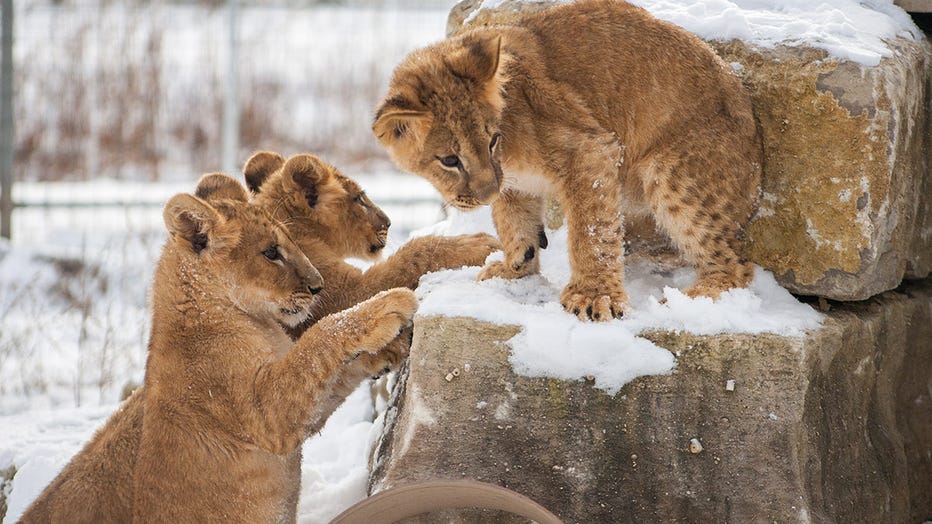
[{"x": 835, "y": 426}]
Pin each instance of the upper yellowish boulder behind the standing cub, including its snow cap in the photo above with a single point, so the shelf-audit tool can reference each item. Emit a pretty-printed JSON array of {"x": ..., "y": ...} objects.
[{"x": 842, "y": 91}]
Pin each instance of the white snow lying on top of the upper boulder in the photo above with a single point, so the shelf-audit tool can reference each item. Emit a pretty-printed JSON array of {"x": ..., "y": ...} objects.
[{"x": 855, "y": 30}]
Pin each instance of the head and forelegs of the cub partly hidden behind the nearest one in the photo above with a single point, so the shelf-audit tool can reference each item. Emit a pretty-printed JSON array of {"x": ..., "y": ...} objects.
[{"x": 331, "y": 218}]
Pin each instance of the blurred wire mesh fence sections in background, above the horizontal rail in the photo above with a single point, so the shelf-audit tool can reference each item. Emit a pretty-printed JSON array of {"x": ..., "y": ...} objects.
[{"x": 136, "y": 90}]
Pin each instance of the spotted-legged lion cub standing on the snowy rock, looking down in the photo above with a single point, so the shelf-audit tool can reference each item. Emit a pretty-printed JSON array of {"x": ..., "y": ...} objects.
[{"x": 606, "y": 107}]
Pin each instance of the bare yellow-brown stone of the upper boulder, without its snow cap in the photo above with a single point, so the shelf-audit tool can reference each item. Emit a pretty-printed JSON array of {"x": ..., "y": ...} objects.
[{"x": 846, "y": 209}]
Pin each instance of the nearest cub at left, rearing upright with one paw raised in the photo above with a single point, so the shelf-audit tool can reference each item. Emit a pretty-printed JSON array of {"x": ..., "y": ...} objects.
[{"x": 228, "y": 395}]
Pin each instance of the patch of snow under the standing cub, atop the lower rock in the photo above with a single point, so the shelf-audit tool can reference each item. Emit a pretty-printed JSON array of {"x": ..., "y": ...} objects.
[{"x": 555, "y": 344}]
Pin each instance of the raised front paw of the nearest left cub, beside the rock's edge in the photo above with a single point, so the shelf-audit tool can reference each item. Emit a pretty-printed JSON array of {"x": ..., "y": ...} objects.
[{"x": 385, "y": 315}]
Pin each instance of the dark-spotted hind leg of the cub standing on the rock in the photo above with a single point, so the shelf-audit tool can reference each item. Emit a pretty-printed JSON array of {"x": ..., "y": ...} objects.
[{"x": 704, "y": 205}]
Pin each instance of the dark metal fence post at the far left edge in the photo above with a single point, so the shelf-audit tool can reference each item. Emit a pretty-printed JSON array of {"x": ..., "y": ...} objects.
[{"x": 6, "y": 119}]
